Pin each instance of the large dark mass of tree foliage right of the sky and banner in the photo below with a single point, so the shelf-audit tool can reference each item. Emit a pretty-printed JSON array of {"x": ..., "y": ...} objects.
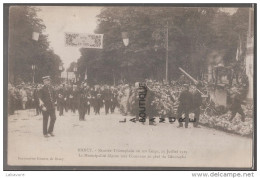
[{"x": 193, "y": 33}]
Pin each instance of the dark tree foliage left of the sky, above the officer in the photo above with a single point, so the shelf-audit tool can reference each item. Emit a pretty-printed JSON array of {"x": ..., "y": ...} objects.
[{"x": 23, "y": 51}]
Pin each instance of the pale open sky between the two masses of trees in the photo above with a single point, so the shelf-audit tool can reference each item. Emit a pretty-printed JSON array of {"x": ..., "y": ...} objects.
[{"x": 61, "y": 19}]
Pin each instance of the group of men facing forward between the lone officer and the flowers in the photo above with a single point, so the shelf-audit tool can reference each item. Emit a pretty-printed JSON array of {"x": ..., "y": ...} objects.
[{"x": 83, "y": 97}]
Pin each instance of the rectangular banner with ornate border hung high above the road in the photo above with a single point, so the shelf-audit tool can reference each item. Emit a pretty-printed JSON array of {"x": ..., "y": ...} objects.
[{"x": 84, "y": 40}]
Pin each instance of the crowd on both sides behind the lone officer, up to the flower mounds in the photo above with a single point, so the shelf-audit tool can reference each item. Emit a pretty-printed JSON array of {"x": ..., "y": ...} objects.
[{"x": 67, "y": 98}]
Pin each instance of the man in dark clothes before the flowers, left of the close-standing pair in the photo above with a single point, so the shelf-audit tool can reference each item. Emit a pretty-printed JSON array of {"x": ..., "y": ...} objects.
[{"x": 184, "y": 106}]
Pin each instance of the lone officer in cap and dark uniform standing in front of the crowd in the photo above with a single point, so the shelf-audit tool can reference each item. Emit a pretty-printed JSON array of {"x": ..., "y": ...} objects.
[{"x": 47, "y": 100}]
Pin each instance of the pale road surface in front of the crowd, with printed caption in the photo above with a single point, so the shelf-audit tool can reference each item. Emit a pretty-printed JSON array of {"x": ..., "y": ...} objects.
[{"x": 102, "y": 140}]
